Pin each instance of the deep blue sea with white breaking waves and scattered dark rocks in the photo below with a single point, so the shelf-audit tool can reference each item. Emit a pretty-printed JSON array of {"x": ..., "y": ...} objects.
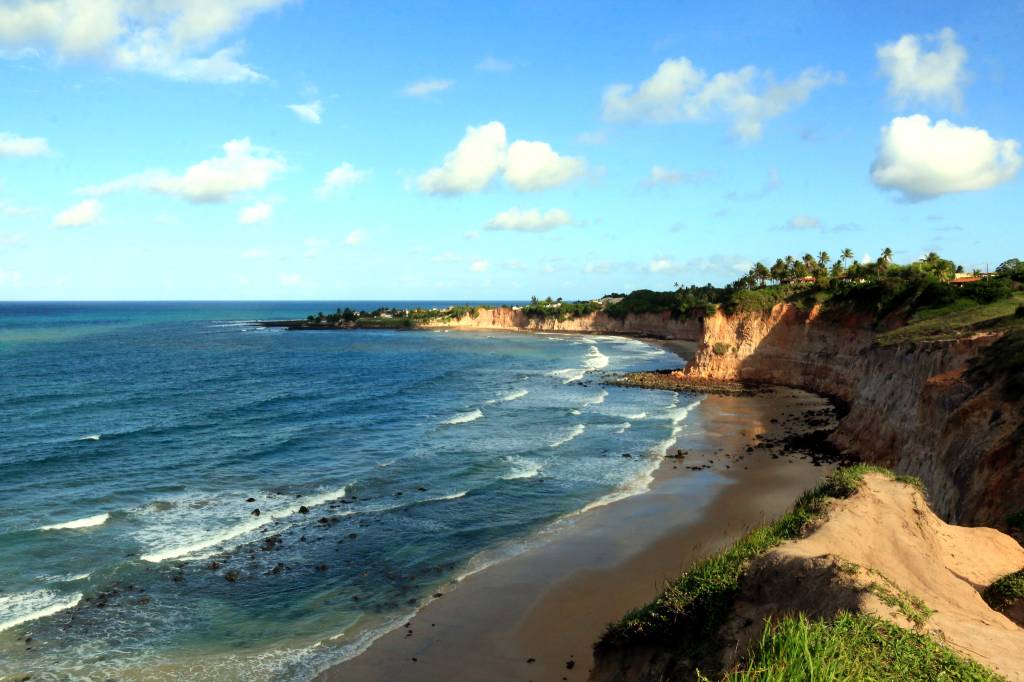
[{"x": 150, "y": 433}]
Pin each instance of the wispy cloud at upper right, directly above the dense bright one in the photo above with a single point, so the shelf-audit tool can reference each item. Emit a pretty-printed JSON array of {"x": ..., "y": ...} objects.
[{"x": 918, "y": 75}]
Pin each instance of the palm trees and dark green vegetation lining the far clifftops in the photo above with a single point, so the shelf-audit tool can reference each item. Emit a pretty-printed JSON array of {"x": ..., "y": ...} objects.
[{"x": 928, "y": 300}]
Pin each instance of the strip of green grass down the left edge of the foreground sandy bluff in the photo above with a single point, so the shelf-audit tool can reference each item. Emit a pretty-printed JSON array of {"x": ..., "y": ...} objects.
[{"x": 691, "y": 611}]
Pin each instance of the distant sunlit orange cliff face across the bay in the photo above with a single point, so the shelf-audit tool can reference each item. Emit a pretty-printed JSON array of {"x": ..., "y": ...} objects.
[{"x": 655, "y": 325}]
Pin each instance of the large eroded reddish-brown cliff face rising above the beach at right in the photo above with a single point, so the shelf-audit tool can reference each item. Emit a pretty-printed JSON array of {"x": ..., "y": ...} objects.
[{"x": 911, "y": 406}]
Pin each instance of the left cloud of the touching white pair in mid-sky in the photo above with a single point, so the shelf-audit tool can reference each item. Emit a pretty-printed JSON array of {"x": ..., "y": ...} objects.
[{"x": 473, "y": 164}]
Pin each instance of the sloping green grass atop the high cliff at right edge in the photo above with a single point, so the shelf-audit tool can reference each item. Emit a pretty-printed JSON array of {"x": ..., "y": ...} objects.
[{"x": 957, "y": 319}]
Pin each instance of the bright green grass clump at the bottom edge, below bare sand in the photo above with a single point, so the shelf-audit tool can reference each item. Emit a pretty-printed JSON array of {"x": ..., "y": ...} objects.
[{"x": 851, "y": 648}]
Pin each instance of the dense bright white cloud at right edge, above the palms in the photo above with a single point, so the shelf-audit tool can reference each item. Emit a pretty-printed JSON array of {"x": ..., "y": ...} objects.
[{"x": 922, "y": 160}]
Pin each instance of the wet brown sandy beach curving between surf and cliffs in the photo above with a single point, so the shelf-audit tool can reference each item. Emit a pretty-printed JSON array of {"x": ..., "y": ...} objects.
[{"x": 536, "y": 617}]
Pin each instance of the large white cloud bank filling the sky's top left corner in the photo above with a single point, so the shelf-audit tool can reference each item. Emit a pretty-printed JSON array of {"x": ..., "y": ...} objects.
[{"x": 177, "y": 39}]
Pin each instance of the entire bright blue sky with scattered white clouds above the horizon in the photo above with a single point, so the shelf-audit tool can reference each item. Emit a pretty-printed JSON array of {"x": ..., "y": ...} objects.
[{"x": 276, "y": 150}]
